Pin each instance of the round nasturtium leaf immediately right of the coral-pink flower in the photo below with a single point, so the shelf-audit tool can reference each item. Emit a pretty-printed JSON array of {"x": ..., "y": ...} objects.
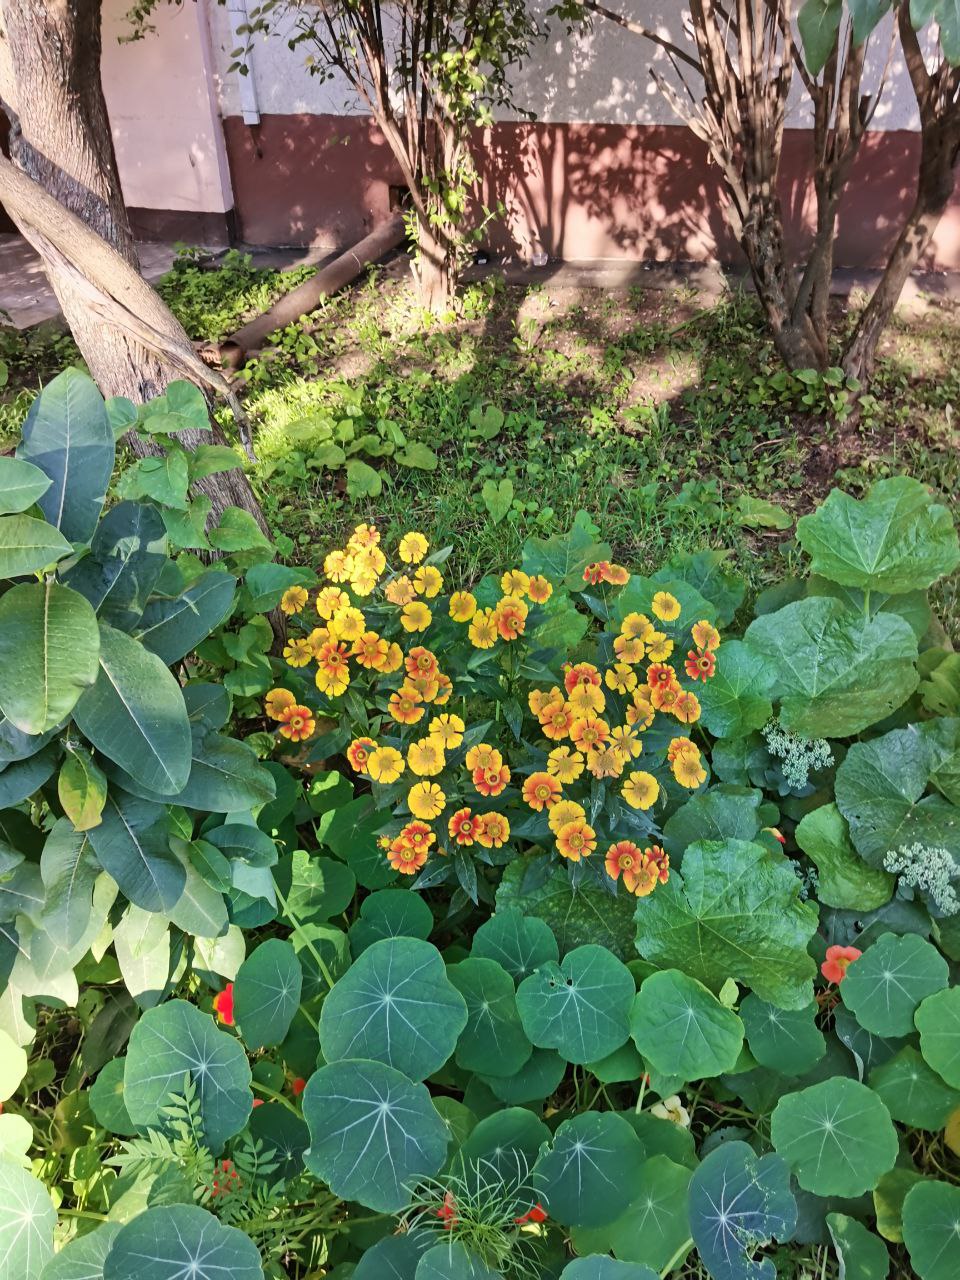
[{"x": 888, "y": 984}]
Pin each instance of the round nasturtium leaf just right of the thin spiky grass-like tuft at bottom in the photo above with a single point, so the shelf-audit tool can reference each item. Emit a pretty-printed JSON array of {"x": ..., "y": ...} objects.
[{"x": 587, "y": 1176}]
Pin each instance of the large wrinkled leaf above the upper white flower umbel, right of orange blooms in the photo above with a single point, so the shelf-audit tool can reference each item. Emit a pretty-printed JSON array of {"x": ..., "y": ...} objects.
[{"x": 836, "y": 673}]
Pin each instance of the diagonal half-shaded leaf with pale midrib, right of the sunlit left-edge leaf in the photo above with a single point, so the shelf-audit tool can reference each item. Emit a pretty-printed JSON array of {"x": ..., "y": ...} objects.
[{"x": 136, "y": 716}]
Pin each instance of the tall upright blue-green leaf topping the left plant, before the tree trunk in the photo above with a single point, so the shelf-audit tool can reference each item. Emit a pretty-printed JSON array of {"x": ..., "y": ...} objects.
[{"x": 68, "y": 436}]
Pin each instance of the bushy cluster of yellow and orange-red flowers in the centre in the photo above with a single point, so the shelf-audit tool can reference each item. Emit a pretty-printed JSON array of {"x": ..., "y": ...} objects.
[{"x": 550, "y": 761}]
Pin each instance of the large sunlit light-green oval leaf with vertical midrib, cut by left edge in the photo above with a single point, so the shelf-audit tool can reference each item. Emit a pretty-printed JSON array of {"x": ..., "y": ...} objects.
[{"x": 49, "y": 647}]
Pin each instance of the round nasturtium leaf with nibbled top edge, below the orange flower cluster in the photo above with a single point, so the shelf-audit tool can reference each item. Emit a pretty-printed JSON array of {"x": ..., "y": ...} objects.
[{"x": 579, "y": 1007}]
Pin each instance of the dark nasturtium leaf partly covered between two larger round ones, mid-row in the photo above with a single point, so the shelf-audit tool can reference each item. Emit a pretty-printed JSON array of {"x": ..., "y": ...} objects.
[{"x": 493, "y": 1039}]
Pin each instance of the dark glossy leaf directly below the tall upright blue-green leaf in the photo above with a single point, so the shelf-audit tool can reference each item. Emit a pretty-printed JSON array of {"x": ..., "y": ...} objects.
[{"x": 126, "y": 559}]
